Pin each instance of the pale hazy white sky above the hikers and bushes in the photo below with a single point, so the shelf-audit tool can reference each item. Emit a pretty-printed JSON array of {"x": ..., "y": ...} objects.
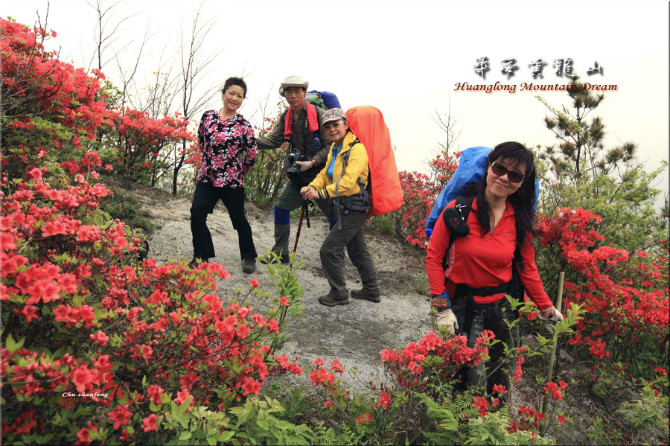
[{"x": 406, "y": 57}]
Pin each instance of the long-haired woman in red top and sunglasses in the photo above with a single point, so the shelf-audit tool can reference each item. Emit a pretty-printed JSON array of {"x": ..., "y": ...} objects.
[{"x": 480, "y": 268}]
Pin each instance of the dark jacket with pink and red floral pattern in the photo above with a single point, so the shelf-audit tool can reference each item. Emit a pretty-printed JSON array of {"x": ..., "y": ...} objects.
[{"x": 228, "y": 149}]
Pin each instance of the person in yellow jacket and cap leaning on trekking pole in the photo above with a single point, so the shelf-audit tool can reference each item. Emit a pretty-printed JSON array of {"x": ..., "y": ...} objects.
[{"x": 343, "y": 180}]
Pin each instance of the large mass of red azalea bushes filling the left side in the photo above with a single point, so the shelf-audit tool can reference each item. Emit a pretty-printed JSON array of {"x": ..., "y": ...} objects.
[{"x": 95, "y": 323}]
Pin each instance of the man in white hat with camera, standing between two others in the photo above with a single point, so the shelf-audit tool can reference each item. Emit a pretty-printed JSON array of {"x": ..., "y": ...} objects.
[{"x": 300, "y": 126}]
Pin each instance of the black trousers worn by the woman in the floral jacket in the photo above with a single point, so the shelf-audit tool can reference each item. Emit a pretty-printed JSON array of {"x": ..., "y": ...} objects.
[{"x": 204, "y": 200}]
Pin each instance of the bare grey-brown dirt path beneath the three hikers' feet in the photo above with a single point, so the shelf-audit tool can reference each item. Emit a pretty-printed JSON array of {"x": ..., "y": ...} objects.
[{"x": 353, "y": 333}]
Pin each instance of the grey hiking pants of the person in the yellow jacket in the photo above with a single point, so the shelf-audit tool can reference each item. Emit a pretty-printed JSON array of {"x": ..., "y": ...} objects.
[{"x": 332, "y": 256}]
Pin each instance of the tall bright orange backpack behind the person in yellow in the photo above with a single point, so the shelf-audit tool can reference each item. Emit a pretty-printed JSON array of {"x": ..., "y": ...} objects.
[{"x": 367, "y": 123}]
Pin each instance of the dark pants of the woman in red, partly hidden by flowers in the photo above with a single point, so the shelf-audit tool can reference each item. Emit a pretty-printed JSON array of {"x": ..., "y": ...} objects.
[{"x": 485, "y": 317}]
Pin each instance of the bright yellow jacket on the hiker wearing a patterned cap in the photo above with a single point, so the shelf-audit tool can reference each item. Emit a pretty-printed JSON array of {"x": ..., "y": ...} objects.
[{"x": 357, "y": 168}]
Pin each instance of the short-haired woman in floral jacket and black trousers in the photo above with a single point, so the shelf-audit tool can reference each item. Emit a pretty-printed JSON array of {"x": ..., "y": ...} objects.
[{"x": 229, "y": 151}]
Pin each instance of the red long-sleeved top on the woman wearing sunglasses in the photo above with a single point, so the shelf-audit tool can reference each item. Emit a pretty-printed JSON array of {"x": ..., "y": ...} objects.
[{"x": 483, "y": 260}]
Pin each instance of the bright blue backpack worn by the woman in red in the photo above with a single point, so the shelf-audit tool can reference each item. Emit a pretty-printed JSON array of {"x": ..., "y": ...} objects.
[{"x": 471, "y": 170}]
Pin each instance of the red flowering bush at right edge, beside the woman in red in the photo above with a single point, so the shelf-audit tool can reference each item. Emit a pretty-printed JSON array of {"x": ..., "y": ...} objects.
[{"x": 624, "y": 296}]
